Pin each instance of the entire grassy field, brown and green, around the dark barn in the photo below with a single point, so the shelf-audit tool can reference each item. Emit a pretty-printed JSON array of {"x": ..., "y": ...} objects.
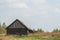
[{"x": 36, "y": 36}]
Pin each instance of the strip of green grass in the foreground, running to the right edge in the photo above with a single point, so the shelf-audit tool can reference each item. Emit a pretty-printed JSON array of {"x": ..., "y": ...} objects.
[{"x": 33, "y": 37}]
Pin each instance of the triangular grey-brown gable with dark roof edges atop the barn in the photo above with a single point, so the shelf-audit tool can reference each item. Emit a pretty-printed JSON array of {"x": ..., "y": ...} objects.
[{"x": 17, "y": 24}]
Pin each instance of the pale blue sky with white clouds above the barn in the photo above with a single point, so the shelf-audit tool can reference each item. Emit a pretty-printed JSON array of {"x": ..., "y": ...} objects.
[{"x": 34, "y": 14}]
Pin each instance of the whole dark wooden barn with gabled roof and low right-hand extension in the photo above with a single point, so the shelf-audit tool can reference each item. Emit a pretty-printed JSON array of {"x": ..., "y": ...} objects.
[{"x": 18, "y": 28}]
